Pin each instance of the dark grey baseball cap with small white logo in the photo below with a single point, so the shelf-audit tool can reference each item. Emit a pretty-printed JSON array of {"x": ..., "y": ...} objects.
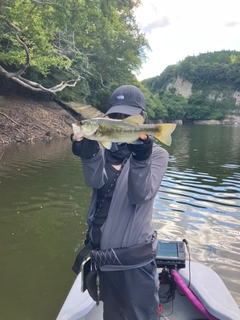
[{"x": 128, "y": 100}]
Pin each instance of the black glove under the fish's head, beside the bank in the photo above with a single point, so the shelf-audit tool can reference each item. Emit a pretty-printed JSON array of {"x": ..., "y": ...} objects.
[{"x": 85, "y": 148}]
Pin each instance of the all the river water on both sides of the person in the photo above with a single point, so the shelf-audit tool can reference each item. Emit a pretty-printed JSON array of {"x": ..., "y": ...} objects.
[{"x": 43, "y": 204}]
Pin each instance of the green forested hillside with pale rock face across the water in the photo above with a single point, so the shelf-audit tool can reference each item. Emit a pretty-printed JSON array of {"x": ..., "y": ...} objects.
[{"x": 213, "y": 83}]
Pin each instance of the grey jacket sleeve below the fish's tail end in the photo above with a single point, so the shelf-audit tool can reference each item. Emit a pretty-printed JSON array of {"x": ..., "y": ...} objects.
[{"x": 145, "y": 176}]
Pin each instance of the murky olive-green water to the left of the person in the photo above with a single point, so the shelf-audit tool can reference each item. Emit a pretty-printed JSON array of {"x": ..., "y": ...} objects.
[{"x": 43, "y": 211}]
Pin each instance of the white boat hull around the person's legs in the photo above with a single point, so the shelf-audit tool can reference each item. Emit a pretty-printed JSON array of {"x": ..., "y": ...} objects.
[{"x": 205, "y": 284}]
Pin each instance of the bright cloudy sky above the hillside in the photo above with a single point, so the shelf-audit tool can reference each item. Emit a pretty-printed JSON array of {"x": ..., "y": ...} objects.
[{"x": 176, "y": 29}]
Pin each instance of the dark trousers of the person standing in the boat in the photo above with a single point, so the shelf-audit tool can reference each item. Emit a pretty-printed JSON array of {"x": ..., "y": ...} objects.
[{"x": 130, "y": 294}]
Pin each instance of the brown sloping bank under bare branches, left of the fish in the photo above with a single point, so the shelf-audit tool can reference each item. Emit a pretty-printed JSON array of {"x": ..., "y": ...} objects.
[{"x": 25, "y": 119}]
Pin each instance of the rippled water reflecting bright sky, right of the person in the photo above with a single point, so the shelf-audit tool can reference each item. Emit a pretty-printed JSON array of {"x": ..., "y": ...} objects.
[{"x": 200, "y": 198}]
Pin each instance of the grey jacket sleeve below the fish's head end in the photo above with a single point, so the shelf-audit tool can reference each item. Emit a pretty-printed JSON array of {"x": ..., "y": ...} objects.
[{"x": 94, "y": 170}]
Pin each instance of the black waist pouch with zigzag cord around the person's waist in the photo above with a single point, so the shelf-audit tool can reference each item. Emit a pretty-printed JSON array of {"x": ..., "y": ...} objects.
[{"x": 133, "y": 255}]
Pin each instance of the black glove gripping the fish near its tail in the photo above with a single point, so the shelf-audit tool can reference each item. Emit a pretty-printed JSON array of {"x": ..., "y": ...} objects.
[{"x": 143, "y": 150}]
